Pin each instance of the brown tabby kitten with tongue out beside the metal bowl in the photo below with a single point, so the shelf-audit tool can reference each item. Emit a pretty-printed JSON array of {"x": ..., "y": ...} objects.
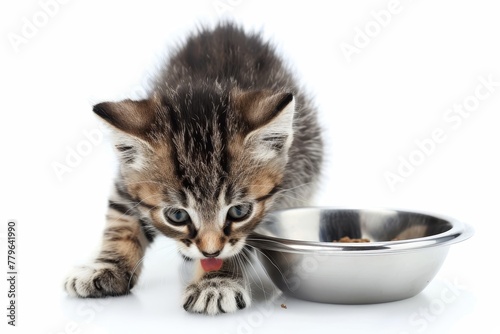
[{"x": 225, "y": 136}]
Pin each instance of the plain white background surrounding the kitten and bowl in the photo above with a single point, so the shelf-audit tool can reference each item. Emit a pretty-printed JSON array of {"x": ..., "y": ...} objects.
[{"x": 374, "y": 106}]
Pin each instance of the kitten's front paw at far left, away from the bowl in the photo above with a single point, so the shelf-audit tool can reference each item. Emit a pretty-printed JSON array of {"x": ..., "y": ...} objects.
[{"x": 97, "y": 280}]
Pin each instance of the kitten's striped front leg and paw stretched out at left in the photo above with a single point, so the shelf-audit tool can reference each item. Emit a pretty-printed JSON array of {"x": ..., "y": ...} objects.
[{"x": 116, "y": 269}]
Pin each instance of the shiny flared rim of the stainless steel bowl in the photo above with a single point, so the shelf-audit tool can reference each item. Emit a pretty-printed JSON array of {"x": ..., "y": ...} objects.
[{"x": 458, "y": 232}]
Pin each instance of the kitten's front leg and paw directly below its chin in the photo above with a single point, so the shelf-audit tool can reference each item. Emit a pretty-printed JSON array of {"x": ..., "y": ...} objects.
[{"x": 215, "y": 292}]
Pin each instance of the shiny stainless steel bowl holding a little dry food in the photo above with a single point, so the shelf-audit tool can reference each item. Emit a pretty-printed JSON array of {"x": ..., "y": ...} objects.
[{"x": 406, "y": 251}]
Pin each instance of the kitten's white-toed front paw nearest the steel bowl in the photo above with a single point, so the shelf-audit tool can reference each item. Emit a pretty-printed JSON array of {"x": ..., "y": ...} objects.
[{"x": 214, "y": 295}]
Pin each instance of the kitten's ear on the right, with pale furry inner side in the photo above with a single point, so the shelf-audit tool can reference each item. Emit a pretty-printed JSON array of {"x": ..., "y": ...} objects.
[{"x": 270, "y": 117}]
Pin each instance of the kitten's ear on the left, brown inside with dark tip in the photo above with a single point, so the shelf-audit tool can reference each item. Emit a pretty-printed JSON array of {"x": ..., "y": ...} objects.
[{"x": 132, "y": 117}]
